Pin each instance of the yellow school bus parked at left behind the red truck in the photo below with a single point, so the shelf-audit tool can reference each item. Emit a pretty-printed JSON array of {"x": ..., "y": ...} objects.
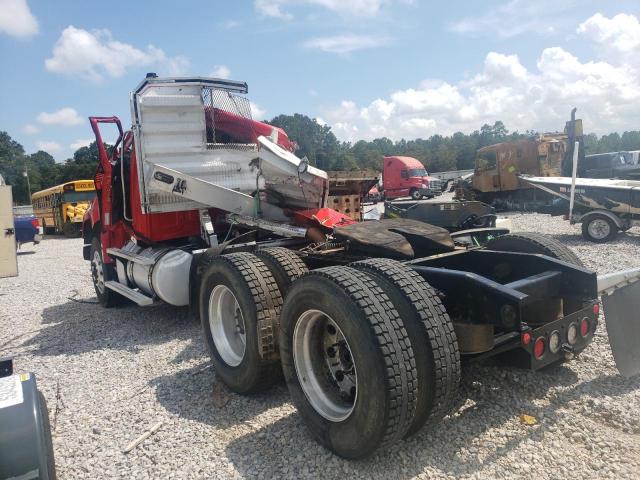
[{"x": 60, "y": 209}]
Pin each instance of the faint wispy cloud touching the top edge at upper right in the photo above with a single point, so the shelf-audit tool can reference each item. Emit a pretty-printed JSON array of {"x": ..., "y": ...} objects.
[{"x": 516, "y": 17}]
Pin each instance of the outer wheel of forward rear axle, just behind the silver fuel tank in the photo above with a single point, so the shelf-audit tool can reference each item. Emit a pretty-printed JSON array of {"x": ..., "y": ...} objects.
[{"x": 240, "y": 306}]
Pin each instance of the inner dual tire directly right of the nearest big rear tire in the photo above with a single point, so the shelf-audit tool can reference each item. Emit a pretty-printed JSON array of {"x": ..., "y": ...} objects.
[{"x": 432, "y": 336}]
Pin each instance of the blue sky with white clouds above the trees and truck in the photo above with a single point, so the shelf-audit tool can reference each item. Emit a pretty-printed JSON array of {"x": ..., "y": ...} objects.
[{"x": 400, "y": 68}]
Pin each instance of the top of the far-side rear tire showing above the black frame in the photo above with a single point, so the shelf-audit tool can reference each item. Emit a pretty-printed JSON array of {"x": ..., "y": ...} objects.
[{"x": 530, "y": 242}]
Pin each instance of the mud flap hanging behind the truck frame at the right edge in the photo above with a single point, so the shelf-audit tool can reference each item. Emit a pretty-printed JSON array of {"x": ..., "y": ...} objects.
[{"x": 621, "y": 305}]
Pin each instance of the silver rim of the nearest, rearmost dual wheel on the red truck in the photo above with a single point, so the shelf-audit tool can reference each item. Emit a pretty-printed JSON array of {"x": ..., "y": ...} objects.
[{"x": 324, "y": 365}]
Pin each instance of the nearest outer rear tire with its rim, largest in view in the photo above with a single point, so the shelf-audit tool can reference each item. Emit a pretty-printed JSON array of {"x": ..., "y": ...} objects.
[{"x": 347, "y": 360}]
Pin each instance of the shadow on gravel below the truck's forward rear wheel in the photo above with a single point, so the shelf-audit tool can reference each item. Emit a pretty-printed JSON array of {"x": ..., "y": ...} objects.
[{"x": 196, "y": 394}]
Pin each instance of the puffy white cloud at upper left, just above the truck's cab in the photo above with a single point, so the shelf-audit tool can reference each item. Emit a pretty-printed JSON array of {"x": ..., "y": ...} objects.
[{"x": 96, "y": 54}]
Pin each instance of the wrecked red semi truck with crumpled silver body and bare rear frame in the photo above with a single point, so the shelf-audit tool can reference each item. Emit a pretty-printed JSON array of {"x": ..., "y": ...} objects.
[{"x": 367, "y": 321}]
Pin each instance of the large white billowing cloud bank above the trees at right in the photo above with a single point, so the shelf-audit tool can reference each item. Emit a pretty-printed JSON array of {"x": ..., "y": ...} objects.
[{"x": 606, "y": 94}]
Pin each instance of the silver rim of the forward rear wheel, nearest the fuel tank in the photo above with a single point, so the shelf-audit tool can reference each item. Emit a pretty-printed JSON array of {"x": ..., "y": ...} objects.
[{"x": 226, "y": 323}]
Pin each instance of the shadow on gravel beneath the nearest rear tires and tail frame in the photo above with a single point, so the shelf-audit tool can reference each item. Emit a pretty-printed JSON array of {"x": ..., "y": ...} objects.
[{"x": 496, "y": 396}]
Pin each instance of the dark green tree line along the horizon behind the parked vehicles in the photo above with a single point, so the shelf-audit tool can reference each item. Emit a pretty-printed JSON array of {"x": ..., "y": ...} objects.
[{"x": 315, "y": 141}]
